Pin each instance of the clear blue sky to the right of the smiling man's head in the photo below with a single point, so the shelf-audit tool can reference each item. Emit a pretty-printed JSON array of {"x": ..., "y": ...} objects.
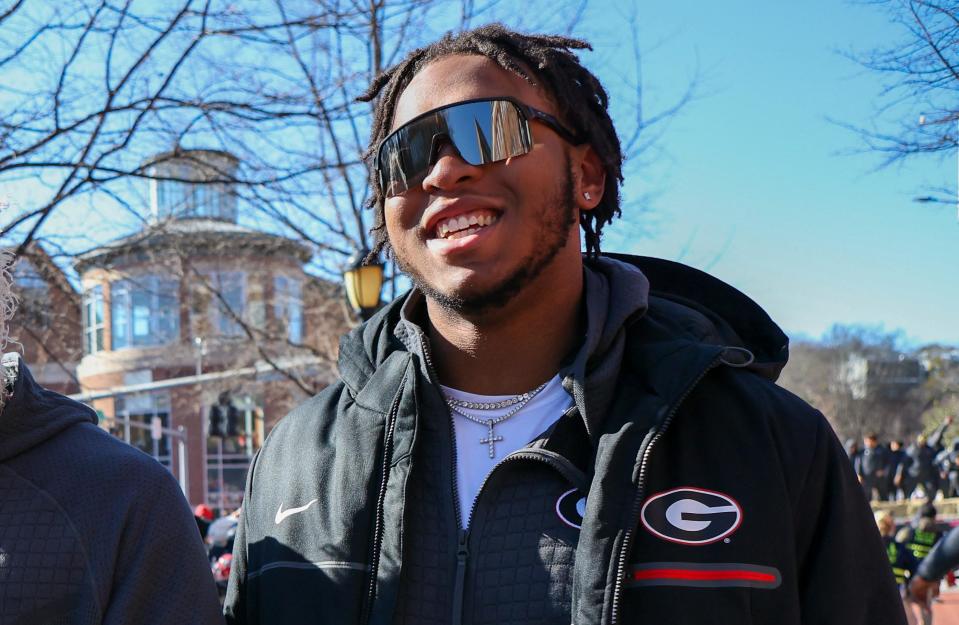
[{"x": 757, "y": 186}]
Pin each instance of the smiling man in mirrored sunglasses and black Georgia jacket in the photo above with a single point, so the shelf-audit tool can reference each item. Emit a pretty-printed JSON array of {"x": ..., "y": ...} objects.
[{"x": 537, "y": 436}]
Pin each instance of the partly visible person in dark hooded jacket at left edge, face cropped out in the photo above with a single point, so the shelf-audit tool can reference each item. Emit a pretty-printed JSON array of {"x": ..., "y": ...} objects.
[{"x": 91, "y": 530}]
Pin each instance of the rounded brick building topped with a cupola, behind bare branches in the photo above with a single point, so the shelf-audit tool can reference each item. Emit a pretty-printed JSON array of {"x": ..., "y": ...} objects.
[{"x": 197, "y": 334}]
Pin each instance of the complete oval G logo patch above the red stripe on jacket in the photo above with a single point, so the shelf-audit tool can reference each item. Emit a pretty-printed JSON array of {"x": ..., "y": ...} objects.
[{"x": 691, "y": 516}]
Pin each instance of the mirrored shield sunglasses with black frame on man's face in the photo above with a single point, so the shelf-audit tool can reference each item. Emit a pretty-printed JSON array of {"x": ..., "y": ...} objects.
[{"x": 483, "y": 131}]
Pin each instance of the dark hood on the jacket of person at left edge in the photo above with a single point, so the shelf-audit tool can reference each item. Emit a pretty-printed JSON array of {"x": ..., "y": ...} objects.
[{"x": 33, "y": 415}]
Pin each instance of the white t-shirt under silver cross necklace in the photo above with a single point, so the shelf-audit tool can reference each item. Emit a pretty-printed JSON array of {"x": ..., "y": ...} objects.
[{"x": 473, "y": 463}]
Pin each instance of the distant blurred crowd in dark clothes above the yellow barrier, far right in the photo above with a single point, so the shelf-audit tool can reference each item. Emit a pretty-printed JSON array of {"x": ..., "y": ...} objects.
[{"x": 925, "y": 469}]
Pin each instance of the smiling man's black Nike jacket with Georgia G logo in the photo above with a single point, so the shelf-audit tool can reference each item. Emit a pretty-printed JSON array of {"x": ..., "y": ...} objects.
[{"x": 684, "y": 487}]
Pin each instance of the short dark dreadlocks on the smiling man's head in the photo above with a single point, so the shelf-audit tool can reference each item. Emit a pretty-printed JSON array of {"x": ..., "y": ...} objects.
[{"x": 581, "y": 99}]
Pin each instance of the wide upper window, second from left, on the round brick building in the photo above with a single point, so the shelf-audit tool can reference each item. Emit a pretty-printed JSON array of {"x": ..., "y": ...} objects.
[{"x": 145, "y": 311}]
